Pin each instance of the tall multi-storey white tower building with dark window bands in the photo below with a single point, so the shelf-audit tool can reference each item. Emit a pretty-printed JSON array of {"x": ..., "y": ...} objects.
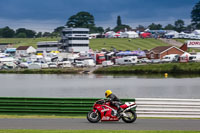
[{"x": 75, "y": 39}]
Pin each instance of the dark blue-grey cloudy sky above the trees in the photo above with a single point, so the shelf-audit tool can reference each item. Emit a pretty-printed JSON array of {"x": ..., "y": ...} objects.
[{"x": 46, "y": 15}]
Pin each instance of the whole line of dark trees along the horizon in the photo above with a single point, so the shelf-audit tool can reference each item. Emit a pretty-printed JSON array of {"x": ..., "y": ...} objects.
[{"x": 86, "y": 20}]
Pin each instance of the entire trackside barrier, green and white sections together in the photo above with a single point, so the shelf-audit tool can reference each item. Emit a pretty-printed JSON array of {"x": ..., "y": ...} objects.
[{"x": 146, "y": 107}]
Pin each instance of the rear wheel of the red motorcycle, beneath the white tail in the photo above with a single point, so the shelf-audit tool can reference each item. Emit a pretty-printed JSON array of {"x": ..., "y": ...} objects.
[{"x": 131, "y": 116}]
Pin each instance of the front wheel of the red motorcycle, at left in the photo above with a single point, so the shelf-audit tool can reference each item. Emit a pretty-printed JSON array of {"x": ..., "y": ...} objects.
[{"x": 93, "y": 117}]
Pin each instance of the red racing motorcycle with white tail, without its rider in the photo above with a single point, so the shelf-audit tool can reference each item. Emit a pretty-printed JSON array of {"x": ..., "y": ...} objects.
[{"x": 104, "y": 111}]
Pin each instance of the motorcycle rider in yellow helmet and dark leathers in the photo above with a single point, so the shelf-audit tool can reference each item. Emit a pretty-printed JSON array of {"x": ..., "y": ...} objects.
[{"x": 114, "y": 100}]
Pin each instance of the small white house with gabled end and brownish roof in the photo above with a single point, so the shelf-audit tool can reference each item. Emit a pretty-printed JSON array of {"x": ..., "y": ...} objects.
[{"x": 25, "y": 50}]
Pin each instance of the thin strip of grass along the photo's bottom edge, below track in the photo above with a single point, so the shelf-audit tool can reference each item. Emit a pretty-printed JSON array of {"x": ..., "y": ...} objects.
[{"x": 90, "y": 131}]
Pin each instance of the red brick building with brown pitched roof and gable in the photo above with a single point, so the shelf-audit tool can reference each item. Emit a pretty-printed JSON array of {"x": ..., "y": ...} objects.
[{"x": 159, "y": 52}]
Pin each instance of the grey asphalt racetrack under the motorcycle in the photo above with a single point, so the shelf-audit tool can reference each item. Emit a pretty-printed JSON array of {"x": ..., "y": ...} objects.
[{"x": 83, "y": 124}]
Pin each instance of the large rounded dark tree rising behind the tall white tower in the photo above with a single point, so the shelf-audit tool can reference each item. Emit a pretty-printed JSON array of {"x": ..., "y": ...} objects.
[{"x": 81, "y": 20}]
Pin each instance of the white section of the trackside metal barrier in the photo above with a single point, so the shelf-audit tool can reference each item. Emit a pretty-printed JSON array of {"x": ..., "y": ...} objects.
[{"x": 177, "y": 108}]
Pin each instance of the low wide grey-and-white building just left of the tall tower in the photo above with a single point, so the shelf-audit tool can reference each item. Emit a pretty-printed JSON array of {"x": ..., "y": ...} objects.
[{"x": 48, "y": 46}]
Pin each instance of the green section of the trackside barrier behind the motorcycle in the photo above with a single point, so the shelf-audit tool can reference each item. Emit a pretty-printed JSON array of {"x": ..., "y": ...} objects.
[{"x": 49, "y": 106}]
